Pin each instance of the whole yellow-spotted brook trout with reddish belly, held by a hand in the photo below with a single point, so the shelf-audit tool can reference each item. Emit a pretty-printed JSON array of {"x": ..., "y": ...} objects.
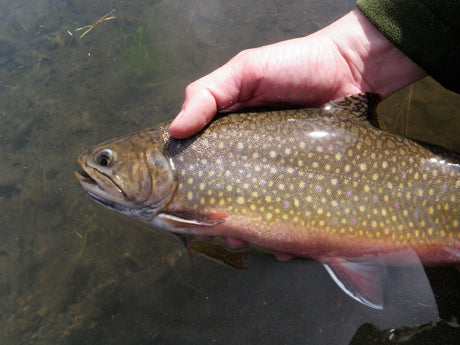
[{"x": 322, "y": 183}]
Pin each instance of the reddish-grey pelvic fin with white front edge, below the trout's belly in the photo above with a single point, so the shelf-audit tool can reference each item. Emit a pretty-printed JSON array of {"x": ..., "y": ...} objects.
[{"x": 360, "y": 280}]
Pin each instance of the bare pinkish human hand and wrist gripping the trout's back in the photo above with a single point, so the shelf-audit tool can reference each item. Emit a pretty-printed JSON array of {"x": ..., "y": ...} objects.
[{"x": 349, "y": 56}]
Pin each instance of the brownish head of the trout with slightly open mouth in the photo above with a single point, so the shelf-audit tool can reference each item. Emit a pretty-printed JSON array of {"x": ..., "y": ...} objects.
[{"x": 131, "y": 175}]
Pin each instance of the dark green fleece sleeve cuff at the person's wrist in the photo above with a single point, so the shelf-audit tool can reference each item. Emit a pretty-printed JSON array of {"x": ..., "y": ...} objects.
[{"x": 426, "y": 31}]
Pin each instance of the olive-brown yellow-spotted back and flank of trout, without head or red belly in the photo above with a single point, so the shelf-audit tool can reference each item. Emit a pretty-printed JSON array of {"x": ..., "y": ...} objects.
[{"x": 322, "y": 173}]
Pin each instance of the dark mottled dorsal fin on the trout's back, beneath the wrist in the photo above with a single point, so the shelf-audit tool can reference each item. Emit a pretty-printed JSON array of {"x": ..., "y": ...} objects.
[{"x": 359, "y": 106}]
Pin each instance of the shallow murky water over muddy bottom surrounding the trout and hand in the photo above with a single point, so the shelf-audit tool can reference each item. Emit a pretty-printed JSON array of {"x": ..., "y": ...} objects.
[{"x": 72, "y": 272}]
